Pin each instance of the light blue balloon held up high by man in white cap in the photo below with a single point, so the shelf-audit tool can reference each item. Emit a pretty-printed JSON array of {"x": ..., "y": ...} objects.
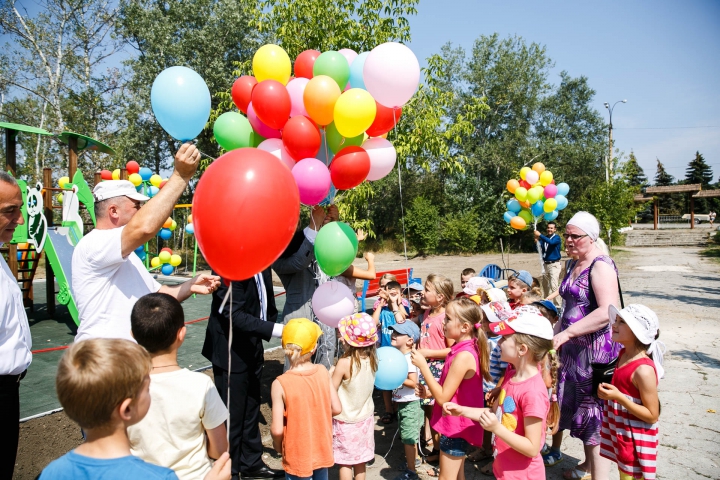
[{"x": 180, "y": 100}]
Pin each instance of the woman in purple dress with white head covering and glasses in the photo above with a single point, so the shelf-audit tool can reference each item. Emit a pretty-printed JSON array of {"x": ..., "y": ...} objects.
[{"x": 588, "y": 289}]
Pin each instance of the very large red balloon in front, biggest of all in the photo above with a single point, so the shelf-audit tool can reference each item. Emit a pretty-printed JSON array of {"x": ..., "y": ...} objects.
[{"x": 230, "y": 212}]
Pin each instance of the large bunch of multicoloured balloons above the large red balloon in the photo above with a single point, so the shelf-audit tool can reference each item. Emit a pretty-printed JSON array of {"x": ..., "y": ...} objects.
[{"x": 326, "y": 124}]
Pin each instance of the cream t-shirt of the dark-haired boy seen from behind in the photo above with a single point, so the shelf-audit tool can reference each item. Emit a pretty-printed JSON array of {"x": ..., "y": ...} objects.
[{"x": 183, "y": 404}]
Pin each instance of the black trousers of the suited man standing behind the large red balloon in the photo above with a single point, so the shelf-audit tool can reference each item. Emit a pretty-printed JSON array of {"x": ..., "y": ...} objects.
[{"x": 246, "y": 446}]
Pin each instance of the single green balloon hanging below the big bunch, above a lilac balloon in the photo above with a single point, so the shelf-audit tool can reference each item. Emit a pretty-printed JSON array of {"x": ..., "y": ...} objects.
[{"x": 335, "y": 248}]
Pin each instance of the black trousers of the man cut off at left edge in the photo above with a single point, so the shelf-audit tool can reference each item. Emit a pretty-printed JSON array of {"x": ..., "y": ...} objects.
[{"x": 9, "y": 423}]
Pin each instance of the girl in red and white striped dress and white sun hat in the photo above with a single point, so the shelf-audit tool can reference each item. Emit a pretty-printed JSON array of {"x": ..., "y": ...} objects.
[{"x": 629, "y": 435}]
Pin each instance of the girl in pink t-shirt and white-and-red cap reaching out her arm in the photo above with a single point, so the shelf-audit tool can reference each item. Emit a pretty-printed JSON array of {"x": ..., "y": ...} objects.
[{"x": 522, "y": 407}]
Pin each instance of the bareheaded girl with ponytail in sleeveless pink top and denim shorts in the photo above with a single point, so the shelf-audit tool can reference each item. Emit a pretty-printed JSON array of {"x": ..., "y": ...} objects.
[{"x": 466, "y": 365}]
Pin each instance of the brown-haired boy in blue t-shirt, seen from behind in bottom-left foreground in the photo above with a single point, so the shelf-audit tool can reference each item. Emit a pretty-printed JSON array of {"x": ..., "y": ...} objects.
[{"x": 104, "y": 385}]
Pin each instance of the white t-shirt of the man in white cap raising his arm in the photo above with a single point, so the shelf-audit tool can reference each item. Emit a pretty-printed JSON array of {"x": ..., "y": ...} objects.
[{"x": 106, "y": 285}]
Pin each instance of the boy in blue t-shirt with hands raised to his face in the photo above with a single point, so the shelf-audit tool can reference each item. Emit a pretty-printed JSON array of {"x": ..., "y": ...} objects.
[{"x": 389, "y": 310}]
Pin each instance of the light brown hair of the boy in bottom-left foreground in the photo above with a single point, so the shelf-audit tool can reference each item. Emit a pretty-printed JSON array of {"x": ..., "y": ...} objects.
[{"x": 95, "y": 376}]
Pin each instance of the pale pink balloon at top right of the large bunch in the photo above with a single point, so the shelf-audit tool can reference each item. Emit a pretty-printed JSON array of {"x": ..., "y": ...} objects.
[{"x": 391, "y": 74}]
